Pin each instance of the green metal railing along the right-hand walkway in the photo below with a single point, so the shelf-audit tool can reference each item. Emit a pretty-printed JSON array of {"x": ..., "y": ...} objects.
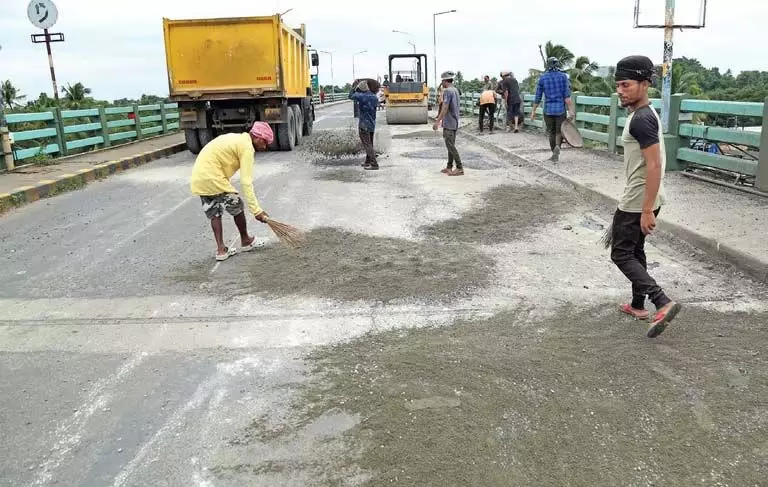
[{"x": 601, "y": 120}]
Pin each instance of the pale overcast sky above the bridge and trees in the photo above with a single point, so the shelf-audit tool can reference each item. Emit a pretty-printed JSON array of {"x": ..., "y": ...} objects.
[{"x": 118, "y": 50}]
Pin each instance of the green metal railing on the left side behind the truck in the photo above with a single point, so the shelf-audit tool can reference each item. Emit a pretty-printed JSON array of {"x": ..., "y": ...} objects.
[{"x": 58, "y": 133}]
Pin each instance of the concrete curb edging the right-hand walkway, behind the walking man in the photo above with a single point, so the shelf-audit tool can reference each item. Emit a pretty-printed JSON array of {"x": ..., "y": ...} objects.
[{"x": 753, "y": 266}]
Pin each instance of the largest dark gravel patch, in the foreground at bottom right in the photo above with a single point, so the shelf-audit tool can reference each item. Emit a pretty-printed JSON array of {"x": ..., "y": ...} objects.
[{"x": 581, "y": 398}]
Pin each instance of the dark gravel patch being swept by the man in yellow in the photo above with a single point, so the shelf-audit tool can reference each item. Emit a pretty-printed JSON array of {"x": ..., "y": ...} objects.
[{"x": 337, "y": 264}]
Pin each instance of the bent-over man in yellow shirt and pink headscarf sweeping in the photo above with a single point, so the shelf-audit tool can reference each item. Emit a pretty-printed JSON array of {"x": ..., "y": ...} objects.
[{"x": 219, "y": 160}]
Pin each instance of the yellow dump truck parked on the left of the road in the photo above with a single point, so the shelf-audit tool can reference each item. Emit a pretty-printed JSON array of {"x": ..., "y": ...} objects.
[{"x": 227, "y": 73}]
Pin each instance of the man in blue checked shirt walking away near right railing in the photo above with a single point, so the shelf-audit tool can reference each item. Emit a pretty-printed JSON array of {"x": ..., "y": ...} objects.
[{"x": 555, "y": 87}]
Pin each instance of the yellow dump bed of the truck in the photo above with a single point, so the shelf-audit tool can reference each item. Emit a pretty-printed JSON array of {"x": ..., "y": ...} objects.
[{"x": 242, "y": 57}]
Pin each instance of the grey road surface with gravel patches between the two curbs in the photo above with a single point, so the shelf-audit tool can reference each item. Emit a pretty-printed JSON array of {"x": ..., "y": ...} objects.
[{"x": 432, "y": 331}]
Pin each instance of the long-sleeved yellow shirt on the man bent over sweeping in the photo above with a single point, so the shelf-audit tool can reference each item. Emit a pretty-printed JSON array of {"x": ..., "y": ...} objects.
[{"x": 219, "y": 160}]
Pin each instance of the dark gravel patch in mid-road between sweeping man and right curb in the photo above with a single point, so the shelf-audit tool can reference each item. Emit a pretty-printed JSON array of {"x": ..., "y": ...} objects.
[{"x": 508, "y": 213}]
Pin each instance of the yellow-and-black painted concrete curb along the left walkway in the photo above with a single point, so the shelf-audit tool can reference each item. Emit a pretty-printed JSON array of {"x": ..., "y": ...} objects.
[{"x": 69, "y": 182}]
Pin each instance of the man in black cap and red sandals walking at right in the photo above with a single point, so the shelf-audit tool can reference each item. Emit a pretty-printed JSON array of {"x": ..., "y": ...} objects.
[{"x": 635, "y": 218}]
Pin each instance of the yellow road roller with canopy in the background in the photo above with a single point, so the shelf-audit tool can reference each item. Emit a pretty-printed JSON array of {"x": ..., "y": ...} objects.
[{"x": 407, "y": 95}]
